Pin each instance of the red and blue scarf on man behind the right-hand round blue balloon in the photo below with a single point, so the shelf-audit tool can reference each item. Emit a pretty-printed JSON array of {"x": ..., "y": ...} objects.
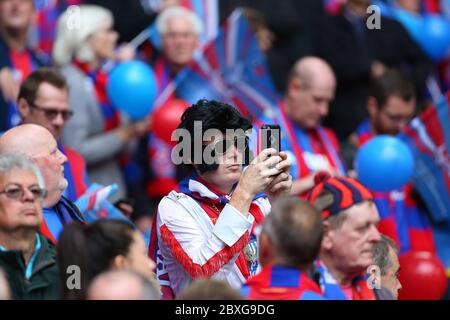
[{"x": 400, "y": 217}]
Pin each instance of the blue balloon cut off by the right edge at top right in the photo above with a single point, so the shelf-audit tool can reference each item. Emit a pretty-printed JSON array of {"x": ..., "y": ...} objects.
[{"x": 436, "y": 36}]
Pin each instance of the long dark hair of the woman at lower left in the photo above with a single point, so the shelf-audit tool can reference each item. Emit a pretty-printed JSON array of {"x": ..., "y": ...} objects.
[{"x": 92, "y": 248}]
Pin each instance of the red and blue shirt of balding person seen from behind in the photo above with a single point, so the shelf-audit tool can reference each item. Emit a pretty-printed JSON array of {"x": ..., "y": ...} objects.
[{"x": 281, "y": 283}]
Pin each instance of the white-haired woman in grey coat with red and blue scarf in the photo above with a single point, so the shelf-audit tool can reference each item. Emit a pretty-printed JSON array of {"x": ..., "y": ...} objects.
[{"x": 85, "y": 41}]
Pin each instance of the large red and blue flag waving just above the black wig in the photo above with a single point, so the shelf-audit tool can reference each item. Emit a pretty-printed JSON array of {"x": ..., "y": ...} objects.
[{"x": 231, "y": 69}]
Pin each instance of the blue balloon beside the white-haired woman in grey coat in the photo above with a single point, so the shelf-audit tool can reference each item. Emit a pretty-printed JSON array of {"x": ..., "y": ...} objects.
[{"x": 132, "y": 88}]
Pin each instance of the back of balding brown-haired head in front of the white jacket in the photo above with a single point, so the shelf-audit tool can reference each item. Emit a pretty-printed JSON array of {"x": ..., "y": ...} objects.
[{"x": 296, "y": 230}]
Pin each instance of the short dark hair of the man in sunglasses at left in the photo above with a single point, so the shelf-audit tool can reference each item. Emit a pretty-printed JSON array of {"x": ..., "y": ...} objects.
[{"x": 30, "y": 86}]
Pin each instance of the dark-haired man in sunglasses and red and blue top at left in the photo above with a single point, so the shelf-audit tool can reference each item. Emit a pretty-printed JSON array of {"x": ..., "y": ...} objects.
[{"x": 44, "y": 100}]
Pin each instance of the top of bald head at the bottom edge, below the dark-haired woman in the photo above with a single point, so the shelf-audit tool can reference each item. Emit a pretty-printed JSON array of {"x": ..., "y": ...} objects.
[{"x": 122, "y": 285}]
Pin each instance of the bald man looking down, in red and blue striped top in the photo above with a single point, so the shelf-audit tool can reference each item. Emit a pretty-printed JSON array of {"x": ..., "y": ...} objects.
[{"x": 310, "y": 147}]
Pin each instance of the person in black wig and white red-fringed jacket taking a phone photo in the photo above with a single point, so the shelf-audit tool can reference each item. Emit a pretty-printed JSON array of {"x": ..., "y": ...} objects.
[{"x": 205, "y": 227}]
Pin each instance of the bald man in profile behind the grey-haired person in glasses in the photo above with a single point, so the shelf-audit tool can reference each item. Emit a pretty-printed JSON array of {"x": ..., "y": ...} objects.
[{"x": 38, "y": 144}]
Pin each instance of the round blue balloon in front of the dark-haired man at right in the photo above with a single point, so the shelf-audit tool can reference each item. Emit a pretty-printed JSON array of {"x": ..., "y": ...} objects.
[{"x": 385, "y": 163}]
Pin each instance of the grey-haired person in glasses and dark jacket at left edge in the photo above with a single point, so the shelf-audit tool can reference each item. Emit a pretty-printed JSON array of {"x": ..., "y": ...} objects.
[{"x": 26, "y": 256}]
